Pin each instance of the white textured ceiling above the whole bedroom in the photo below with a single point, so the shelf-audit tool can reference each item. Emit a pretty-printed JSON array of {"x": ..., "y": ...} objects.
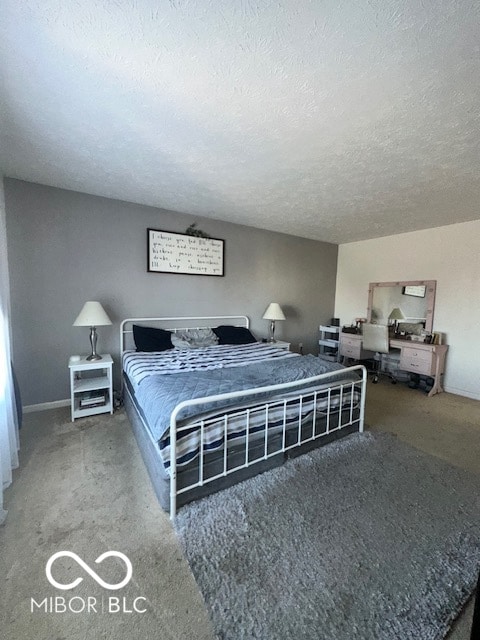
[{"x": 335, "y": 120}]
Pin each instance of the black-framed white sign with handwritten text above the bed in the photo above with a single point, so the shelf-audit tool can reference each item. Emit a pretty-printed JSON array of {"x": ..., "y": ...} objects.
[{"x": 181, "y": 253}]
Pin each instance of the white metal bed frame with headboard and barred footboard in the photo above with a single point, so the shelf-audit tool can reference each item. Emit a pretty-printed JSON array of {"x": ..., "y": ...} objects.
[{"x": 322, "y": 392}]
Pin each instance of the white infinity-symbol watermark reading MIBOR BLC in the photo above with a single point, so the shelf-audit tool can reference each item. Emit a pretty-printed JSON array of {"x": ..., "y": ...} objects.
[{"x": 89, "y": 604}]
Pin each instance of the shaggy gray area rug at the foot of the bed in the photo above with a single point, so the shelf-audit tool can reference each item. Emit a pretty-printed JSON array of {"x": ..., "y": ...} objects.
[{"x": 366, "y": 538}]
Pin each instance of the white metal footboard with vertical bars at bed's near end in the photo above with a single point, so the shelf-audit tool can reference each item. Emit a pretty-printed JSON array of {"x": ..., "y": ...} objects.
[{"x": 340, "y": 404}]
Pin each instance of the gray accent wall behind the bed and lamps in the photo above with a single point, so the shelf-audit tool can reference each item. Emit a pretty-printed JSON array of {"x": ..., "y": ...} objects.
[{"x": 66, "y": 248}]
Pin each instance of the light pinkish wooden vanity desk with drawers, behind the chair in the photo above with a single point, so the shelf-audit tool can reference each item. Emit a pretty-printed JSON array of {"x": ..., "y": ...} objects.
[{"x": 415, "y": 357}]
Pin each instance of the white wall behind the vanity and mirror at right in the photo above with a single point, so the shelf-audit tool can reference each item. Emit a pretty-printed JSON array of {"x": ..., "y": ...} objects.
[{"x": 451, "y": 256}]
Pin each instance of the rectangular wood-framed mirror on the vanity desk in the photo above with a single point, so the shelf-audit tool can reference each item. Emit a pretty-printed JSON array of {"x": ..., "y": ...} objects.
[{"x": 410, "y": 303}]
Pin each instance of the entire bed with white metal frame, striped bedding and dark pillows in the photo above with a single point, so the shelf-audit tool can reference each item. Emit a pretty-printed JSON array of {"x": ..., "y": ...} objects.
[{"x": 210, "y": 406}]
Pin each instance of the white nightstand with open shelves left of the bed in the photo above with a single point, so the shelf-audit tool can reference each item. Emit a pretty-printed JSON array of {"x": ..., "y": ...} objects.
[{"x": 91, "y": 386}]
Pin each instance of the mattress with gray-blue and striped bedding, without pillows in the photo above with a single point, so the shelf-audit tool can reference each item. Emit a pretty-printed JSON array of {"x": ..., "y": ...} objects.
[{"x": 160, "y": 381}]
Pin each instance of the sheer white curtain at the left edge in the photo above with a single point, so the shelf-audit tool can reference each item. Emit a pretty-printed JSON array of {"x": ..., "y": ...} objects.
[{"x": 9, "y": 442}]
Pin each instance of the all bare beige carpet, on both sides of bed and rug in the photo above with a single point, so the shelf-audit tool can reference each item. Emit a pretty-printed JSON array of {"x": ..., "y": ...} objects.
[{"x": 84, "y": 487}]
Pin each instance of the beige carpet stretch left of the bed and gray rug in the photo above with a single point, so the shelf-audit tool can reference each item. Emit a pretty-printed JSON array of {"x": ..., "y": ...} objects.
[{"x": 83, "y": 487}]
